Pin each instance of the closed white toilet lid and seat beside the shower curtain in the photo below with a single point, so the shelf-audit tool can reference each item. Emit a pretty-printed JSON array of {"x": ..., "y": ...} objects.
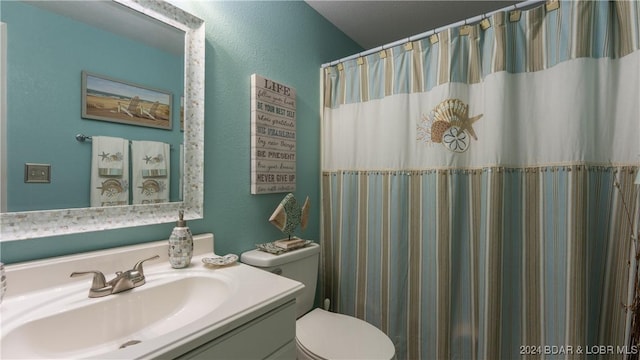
[{"x": 325, "y": 335}]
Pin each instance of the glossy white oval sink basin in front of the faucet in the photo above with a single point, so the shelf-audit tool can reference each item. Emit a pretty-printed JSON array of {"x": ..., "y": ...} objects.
[{"x": 69, "y": 324}]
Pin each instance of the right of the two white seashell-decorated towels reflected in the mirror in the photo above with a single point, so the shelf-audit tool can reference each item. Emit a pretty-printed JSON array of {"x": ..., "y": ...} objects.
[{"x": 150, "y": 166}]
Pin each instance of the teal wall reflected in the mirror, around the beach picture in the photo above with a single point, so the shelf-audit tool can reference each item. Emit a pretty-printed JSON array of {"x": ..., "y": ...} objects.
[{"x": 44, "y": 66}]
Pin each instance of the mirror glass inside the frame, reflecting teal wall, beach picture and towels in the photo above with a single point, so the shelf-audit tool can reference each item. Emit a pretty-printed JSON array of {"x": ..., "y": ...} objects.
[{"x": 51, "y": 44}]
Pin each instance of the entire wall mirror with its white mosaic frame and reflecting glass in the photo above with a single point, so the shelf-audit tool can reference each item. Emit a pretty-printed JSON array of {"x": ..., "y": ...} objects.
[{"x": 151, "y": 47}]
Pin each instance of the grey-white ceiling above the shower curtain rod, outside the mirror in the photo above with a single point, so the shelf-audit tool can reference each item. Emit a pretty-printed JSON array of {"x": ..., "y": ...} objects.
[{"x": 375, "y": 23}]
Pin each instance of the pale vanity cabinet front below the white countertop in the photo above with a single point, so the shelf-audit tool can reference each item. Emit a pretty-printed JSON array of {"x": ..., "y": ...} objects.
[{"x": 269, "y": 336}]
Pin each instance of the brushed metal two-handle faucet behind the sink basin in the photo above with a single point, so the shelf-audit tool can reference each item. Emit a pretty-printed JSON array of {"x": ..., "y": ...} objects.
[{"x": 123, "y": 281}]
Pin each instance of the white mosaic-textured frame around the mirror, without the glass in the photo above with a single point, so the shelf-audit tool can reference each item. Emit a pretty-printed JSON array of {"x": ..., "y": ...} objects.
[{"x": 35, "y": 224}]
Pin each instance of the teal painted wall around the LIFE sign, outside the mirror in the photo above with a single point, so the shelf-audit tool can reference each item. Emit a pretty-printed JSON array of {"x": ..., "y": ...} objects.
[{"x": 285, "y": 41}]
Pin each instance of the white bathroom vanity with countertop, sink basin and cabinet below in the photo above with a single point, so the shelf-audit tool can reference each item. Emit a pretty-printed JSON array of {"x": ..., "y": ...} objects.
[{"x": 200, "y": 312}]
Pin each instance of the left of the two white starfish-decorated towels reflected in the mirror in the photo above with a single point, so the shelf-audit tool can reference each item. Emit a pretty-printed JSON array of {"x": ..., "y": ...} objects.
[{"x": 109, "y": 171}]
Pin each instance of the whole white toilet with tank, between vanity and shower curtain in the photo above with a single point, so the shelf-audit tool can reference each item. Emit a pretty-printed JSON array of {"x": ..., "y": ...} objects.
[{"x": 321, "y": 334}]
